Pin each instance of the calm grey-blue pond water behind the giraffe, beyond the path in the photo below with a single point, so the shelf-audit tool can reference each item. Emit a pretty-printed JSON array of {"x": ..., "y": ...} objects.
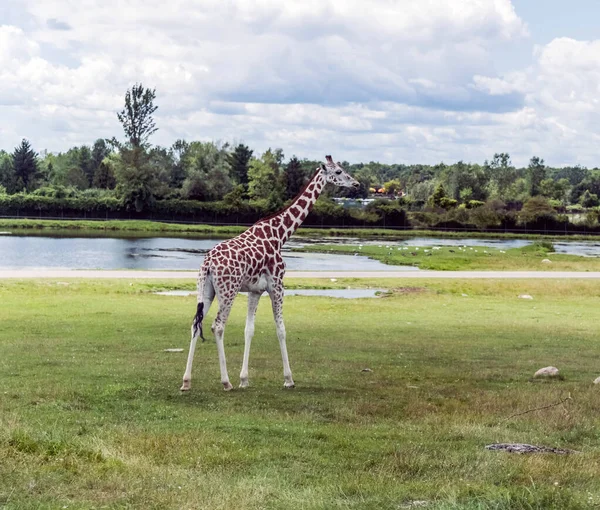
[{"x": 186, "y": 253}]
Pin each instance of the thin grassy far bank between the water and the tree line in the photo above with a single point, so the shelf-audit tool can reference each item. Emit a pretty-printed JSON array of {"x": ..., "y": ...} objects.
[{"x": 142, "y": 227}]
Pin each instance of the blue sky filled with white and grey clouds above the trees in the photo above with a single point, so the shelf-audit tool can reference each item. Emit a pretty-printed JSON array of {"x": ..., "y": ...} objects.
[{"x": 366, "y": 80}]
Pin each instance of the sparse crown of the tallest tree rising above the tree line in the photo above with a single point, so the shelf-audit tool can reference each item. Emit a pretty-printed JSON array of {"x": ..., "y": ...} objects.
[{"x": 136, "y": 118}]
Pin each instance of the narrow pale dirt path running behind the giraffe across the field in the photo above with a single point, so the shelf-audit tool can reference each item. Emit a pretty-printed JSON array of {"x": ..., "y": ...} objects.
[{"x": 163, "y": 275}]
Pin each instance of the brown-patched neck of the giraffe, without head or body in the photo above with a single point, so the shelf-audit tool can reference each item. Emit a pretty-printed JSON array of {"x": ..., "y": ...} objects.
[{"x": 284, "y": 224}]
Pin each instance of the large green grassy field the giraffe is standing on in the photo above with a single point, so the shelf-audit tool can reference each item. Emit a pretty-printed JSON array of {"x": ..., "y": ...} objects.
[{"x": 91, "y": 415}]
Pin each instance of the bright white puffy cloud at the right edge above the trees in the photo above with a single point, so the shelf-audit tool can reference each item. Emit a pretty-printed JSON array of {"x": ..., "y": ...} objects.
[{"x": 561, "y": 93}]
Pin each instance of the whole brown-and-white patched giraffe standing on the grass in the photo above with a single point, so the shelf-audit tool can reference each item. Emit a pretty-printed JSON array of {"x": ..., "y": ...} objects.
[{"x": 252, "y": 263}]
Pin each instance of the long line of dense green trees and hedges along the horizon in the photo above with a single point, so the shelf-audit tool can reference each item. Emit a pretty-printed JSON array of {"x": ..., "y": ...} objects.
[{"x": 132, "y": 175}]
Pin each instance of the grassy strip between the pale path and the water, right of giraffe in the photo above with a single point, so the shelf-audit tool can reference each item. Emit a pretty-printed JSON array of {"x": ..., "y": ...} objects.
[{"x": 477, "y": 258}]
